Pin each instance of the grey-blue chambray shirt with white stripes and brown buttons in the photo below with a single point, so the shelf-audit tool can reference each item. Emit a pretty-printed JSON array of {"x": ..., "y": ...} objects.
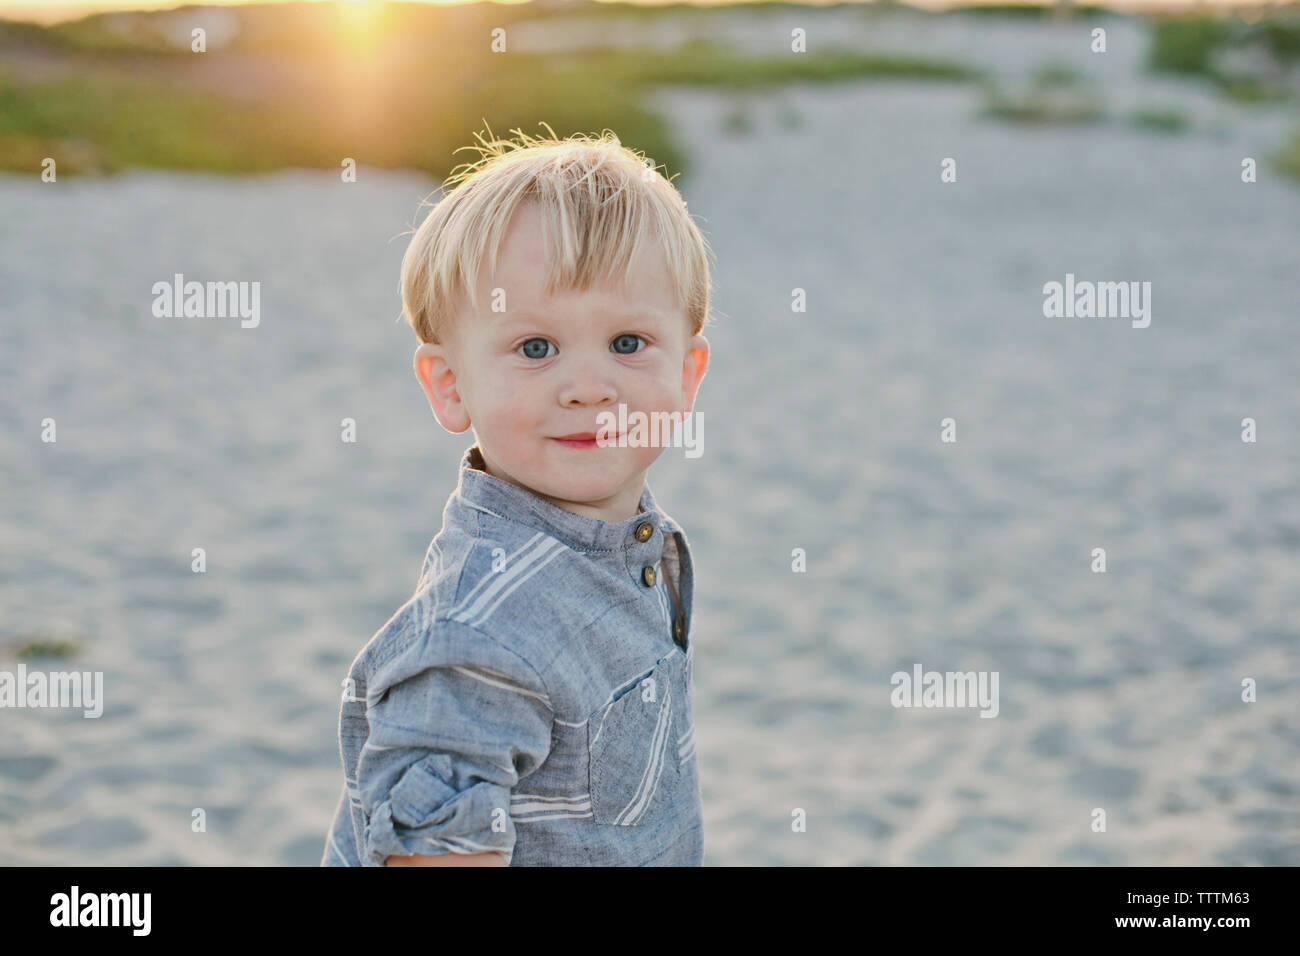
[{"x": 532, "y": 698}]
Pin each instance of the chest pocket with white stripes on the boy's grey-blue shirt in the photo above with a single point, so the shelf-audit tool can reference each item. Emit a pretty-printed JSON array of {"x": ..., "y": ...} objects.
[{"x": 632, "y": 747}]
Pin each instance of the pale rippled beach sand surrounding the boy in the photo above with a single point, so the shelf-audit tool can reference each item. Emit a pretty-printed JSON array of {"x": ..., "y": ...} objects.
[{"x": 1120, "y": 691}]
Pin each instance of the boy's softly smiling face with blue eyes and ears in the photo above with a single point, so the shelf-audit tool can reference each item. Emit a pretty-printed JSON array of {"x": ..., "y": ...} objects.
[{"x": 587, "y": 353}]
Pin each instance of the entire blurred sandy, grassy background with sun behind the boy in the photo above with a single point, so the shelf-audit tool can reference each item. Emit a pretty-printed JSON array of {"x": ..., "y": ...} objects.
[{"x": 816, "y": 171}]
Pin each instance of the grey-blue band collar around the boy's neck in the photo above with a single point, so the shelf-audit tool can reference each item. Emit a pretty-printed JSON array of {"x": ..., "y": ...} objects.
[{"x": 480, "y": 491}]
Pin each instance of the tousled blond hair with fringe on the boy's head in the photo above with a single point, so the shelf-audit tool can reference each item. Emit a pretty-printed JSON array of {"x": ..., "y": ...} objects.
[{"x": 597, "y": 198}]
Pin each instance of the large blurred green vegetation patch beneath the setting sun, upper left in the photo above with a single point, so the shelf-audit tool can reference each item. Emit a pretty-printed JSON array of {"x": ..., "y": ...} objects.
[{"x": 309, "y": 85}]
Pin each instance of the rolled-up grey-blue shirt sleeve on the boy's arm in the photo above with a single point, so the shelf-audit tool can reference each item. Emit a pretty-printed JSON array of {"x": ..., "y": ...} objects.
[{"x": 456, "y": 721}]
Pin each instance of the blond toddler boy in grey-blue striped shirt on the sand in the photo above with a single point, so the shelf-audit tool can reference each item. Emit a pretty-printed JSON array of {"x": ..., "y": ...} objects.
[{"x": 532, "y": 703}]
